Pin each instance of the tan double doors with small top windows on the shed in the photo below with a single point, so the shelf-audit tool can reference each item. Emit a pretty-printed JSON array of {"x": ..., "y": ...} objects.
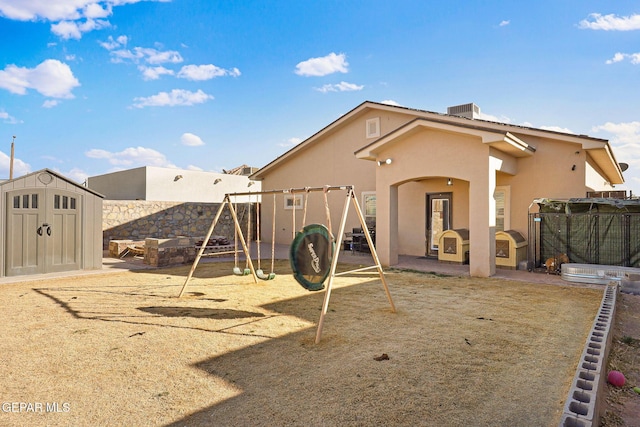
[{"x": 43, "y": 231}]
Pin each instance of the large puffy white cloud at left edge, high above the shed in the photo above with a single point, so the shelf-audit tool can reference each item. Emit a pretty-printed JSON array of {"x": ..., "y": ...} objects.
[{"x": 51, "y": 78}]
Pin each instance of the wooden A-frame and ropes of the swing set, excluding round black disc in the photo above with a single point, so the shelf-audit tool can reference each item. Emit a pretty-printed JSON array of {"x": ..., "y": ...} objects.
[{"x": 350, "y": 200}]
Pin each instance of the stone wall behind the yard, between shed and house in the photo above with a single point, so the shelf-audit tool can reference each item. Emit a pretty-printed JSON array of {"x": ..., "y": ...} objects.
[{"x": 141, "y": 219}]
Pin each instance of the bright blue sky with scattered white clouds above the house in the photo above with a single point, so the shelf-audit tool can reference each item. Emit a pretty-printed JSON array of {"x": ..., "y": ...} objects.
[{"x": 93, "y": 86}]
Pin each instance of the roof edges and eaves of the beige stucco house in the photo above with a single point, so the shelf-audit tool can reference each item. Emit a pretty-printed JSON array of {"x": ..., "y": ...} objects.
[{"x": 499, "y": 135}]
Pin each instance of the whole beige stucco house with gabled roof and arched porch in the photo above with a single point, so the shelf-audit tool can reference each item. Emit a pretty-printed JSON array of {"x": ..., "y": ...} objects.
[{"x": 418, "y": 173}]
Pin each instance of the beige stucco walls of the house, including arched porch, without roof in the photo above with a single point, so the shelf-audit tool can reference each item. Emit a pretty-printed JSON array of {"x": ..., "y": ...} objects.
[{"x": 423, "y": 158}]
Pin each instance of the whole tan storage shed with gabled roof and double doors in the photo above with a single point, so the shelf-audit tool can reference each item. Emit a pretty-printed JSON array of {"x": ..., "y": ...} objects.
[{"x": 49, "y": 224}]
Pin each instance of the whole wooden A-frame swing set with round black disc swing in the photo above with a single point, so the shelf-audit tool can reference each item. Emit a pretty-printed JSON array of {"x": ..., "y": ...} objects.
[{"x": 312, "y": 254}]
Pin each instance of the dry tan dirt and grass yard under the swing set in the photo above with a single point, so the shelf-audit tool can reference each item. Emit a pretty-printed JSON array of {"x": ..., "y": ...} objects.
[{"x": 122, "y": 349}]
